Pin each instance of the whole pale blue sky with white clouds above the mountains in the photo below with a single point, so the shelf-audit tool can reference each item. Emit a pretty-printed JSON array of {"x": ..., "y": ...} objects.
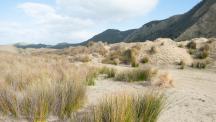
[{"x": 73, "y": 21}]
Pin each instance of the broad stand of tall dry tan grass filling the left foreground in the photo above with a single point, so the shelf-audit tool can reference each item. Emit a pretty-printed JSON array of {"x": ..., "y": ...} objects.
[{"x": 35, "y": 87}]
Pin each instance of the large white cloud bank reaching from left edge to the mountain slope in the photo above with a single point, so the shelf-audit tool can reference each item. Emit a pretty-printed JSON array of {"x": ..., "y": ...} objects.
[{"x": 70, "y": 20}]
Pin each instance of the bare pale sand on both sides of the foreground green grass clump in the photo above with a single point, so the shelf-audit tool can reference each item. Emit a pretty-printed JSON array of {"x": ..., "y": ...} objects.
[{"x": 193, "y": 99}]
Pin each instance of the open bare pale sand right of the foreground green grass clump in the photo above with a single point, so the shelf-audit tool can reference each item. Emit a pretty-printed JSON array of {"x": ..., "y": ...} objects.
[{"x": 194, "y": 97}]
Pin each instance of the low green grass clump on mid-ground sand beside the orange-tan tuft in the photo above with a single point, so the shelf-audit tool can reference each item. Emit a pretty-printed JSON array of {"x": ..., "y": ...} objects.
[{"x": 136, "y": 75}]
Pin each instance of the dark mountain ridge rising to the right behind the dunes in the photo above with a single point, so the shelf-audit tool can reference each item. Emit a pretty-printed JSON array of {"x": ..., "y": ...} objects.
[{"x": 198, "y": 22}]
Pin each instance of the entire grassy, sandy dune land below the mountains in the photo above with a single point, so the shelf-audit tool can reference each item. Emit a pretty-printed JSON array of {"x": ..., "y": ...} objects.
[{"x": 101, "y": 82}]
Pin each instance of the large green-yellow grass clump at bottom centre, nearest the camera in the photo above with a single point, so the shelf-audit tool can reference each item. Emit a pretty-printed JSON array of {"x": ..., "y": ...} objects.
[{"x": 128, "y": 108}]
